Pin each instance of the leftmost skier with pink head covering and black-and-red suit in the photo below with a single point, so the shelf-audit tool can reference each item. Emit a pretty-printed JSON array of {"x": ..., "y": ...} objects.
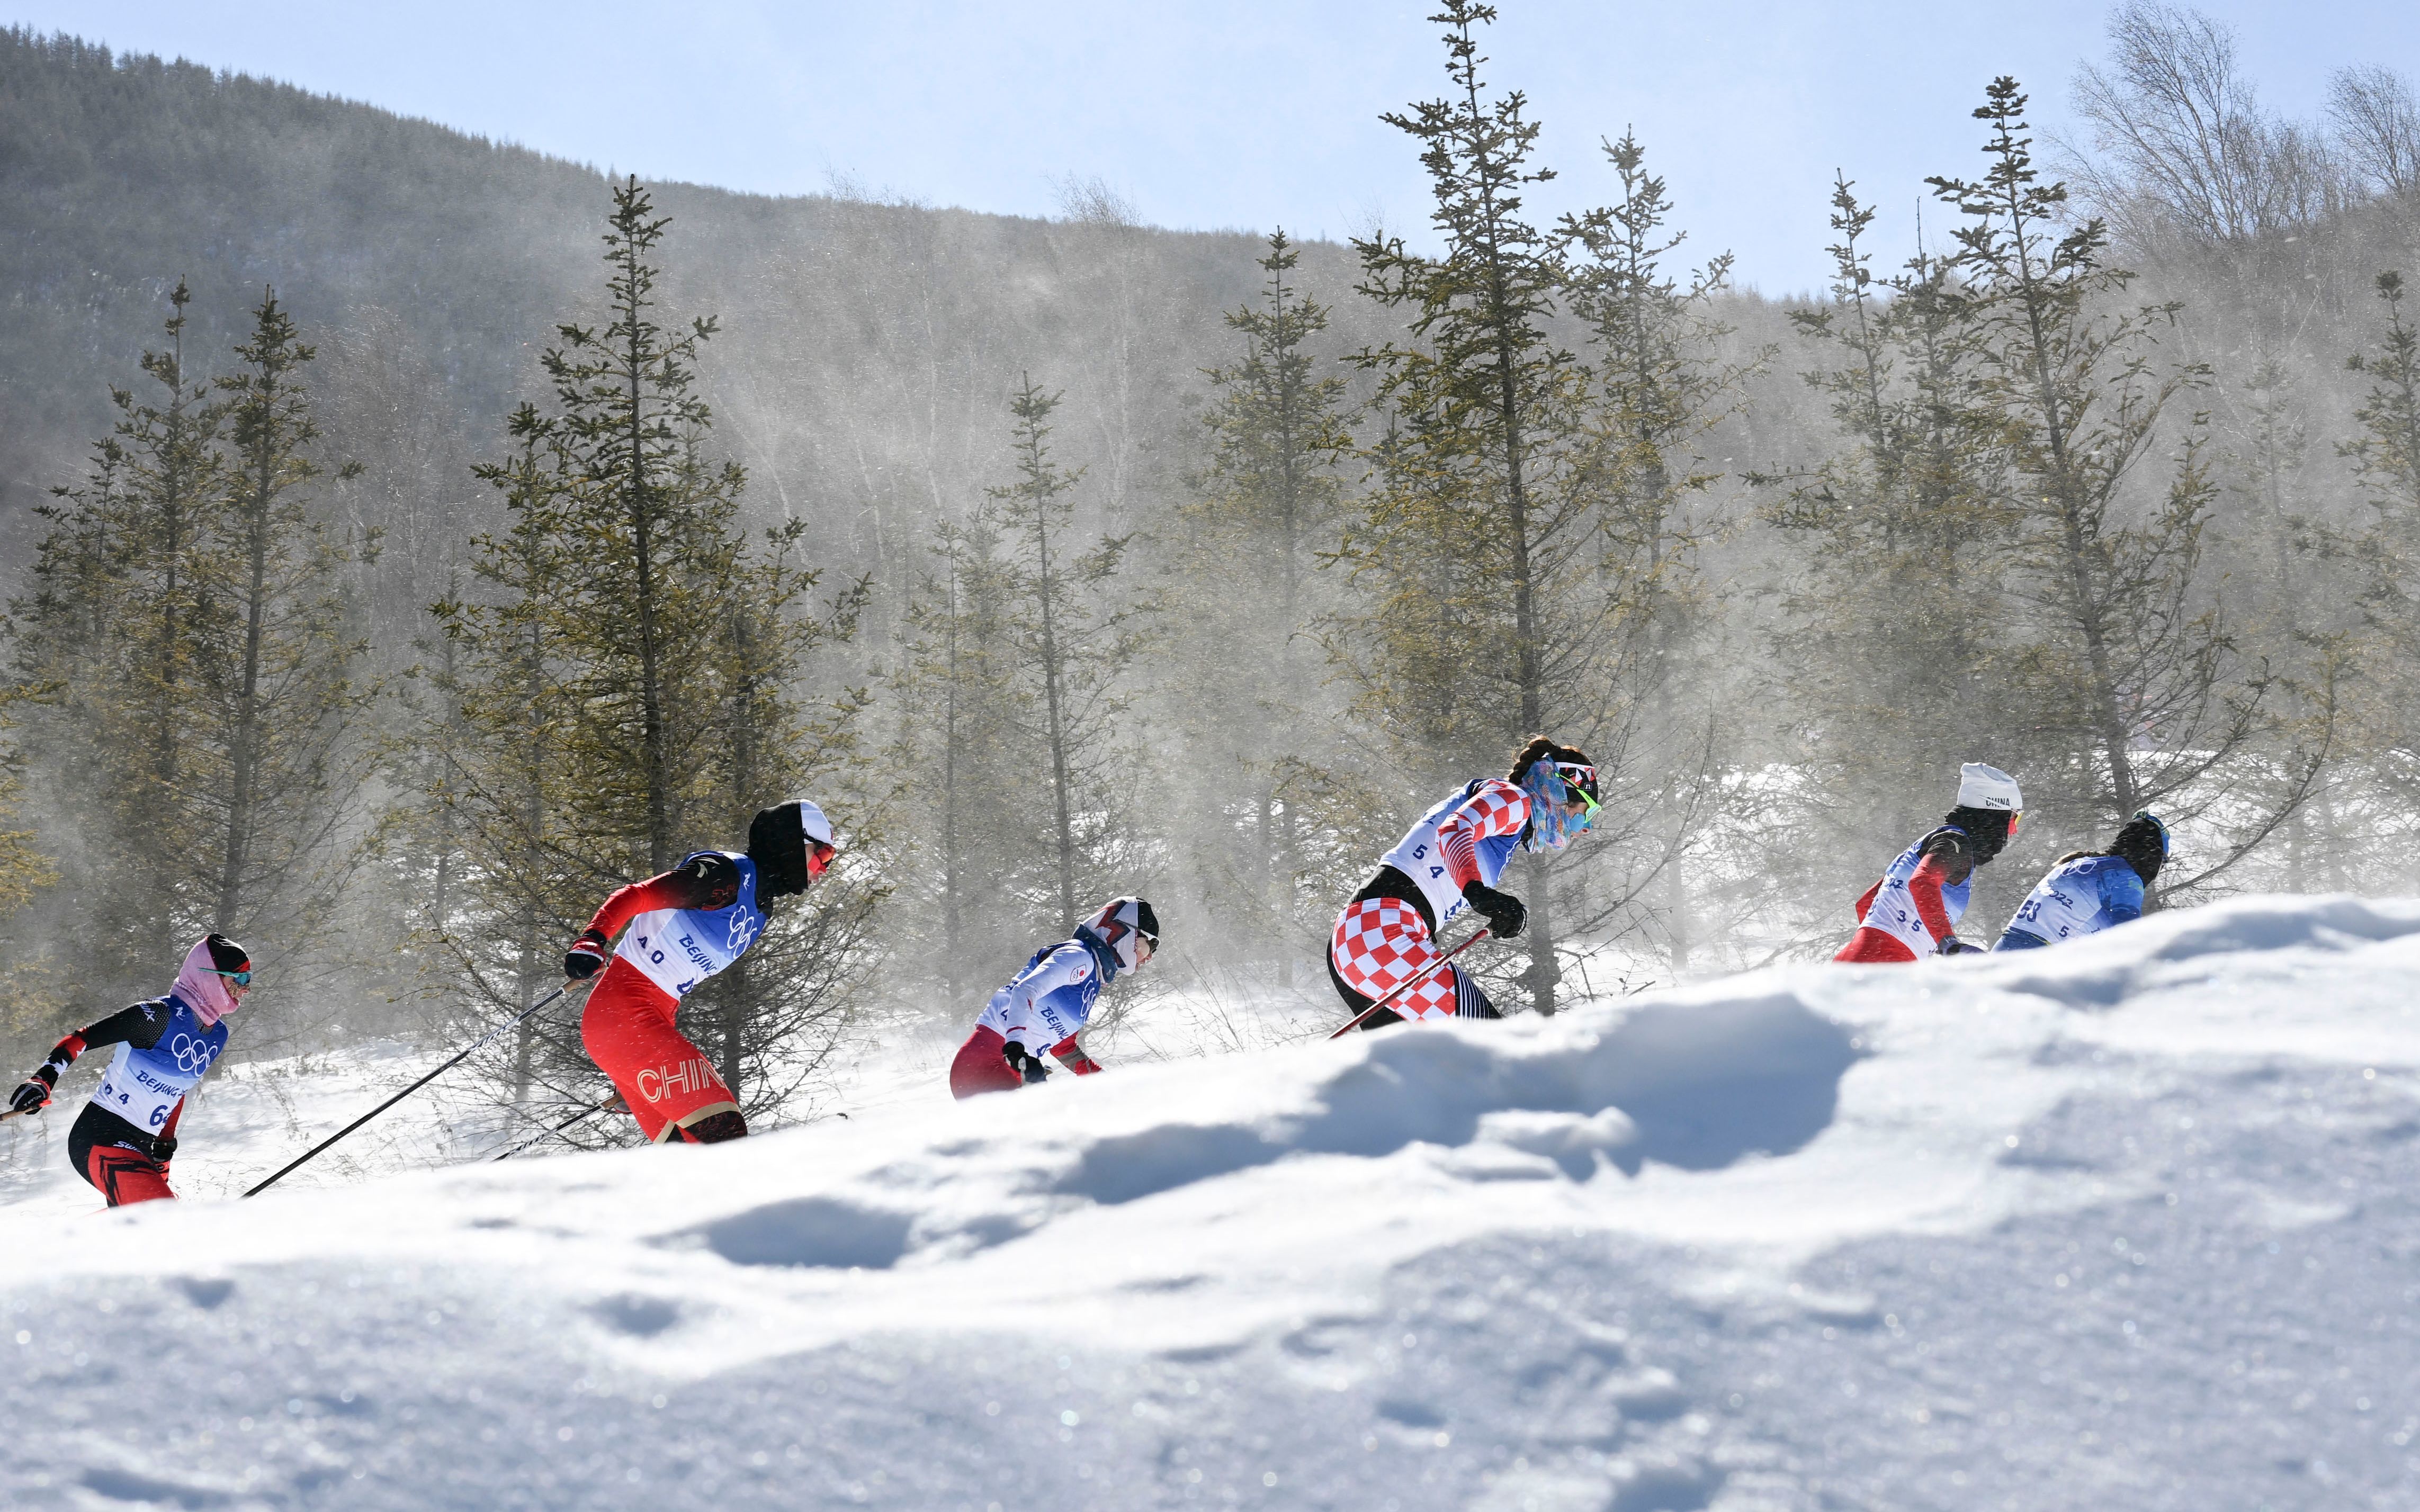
[{"x": 127, "y": 1133}]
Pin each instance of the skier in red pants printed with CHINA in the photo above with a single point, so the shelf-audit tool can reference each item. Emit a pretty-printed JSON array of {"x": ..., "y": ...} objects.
[{"x": 684, "y": 928}]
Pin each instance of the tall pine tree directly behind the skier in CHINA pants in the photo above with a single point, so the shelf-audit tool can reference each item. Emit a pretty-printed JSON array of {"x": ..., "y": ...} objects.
[{"x": 626, "y": 691}]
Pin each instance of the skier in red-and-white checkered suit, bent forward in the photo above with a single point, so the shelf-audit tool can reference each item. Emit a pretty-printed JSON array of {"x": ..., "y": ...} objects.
[{"x": 1453, "y": 860}]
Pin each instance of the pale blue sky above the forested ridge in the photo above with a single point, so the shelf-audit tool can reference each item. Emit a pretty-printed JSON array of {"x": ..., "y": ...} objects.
[{"x": 1221, "y": 112}]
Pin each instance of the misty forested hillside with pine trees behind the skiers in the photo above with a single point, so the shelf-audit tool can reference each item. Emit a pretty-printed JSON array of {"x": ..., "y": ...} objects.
[{"x": 1078, "y": 558}]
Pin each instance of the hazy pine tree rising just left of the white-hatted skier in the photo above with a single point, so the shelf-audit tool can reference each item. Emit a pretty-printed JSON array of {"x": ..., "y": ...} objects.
[{"x": 1898, "y": 618}]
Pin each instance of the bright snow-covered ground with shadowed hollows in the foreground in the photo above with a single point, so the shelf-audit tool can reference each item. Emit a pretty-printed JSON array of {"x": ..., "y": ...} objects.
[{"x": 2131, "y": 1223}]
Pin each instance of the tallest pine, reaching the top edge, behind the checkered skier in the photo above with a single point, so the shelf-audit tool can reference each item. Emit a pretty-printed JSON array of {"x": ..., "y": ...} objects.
[{"x": 1477, "y": 543}]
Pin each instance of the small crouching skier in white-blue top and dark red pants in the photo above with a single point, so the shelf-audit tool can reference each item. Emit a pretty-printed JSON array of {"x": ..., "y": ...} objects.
[{"x": 1049, "y": 1003}]
